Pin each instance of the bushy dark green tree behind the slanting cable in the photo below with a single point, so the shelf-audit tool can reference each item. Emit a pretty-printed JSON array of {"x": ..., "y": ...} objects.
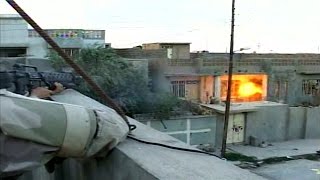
[{"x": 121, "y": 81}]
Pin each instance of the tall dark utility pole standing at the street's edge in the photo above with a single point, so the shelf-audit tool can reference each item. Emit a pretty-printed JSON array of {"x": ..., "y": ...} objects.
[{"x": 227, "y": 111}]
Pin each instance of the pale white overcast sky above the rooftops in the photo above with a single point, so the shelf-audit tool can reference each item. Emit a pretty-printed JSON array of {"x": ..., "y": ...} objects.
[{"x": 264, "y": 26}]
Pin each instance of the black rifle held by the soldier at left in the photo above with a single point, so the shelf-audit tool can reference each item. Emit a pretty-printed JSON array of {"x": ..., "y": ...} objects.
[{"x": 22, "y": 81}]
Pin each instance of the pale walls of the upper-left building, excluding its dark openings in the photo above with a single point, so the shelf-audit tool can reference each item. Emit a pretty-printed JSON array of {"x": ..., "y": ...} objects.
[{"x": 14, "y": 33}]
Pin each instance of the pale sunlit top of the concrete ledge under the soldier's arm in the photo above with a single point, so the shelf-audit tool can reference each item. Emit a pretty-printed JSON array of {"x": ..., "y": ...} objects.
[{"x": 164, "y": 163}]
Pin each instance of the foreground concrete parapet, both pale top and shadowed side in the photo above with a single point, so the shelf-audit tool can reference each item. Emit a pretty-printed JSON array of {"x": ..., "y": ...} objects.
[{"x": 138, "y": 161}]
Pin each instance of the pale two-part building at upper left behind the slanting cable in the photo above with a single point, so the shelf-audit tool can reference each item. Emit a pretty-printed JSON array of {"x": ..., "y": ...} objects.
[{"x": 17, "y": 40}]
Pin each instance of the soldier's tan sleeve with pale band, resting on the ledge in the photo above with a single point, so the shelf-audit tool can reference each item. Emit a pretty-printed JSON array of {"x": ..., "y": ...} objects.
[{"x": 71, "y": 126}]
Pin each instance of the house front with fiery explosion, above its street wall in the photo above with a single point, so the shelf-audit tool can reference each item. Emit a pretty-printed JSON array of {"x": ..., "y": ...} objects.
[{"x": 202, "y": 77}]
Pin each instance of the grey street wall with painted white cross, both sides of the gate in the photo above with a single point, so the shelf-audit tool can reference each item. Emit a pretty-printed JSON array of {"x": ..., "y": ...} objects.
[{"x": 270, "y": 123}]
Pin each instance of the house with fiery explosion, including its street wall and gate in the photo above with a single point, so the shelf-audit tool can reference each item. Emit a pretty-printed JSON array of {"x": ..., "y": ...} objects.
[{"x": 272, "y": 94}]
